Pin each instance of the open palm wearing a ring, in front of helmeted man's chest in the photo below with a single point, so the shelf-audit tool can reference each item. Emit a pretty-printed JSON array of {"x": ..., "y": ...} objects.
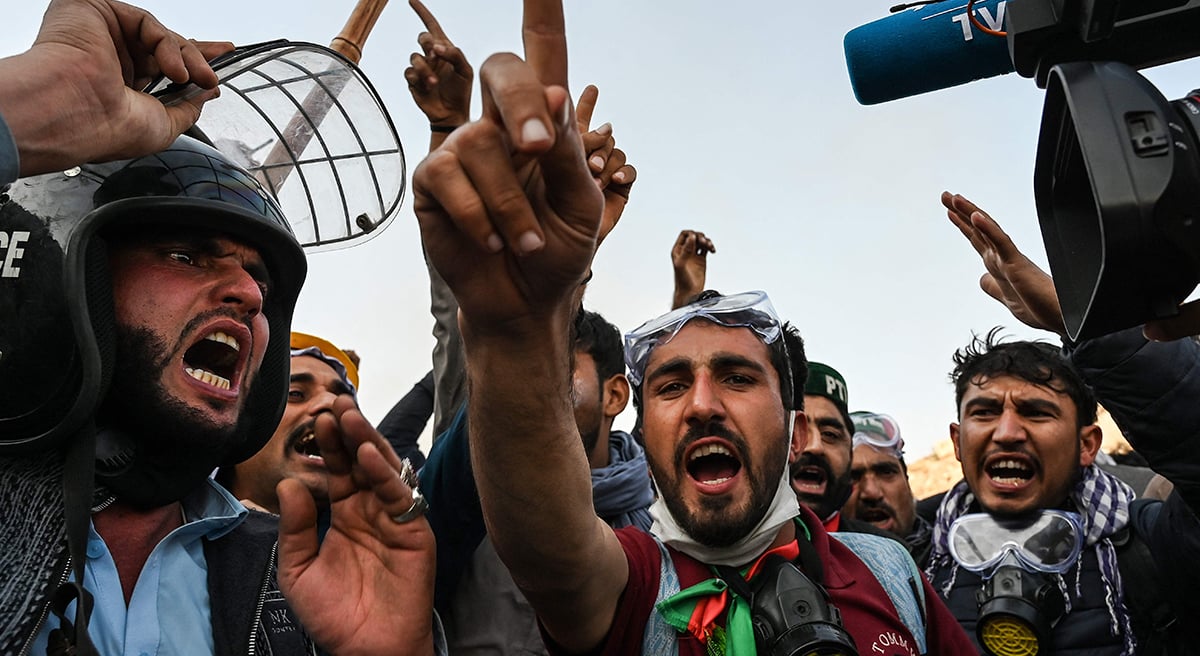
[{"x": 369, "y": 588}]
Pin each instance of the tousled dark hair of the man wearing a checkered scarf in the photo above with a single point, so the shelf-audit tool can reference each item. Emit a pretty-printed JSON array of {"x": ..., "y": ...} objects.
[{"x": 1039, "y": 363}]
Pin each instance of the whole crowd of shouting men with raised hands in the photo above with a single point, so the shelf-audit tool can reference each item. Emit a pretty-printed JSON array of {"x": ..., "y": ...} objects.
[{"x": 195, "y": 477}]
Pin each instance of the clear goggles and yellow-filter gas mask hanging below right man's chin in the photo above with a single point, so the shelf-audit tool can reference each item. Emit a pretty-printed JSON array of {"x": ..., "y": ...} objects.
[{"x": 1021, "y": 561}]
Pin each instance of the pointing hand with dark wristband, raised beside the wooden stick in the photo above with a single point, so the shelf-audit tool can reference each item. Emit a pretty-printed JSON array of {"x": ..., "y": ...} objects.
[{"x": 440, "y": 77}]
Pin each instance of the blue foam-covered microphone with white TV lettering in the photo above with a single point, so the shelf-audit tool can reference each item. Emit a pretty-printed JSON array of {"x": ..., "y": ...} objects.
[{"x": 925, "y": 50}]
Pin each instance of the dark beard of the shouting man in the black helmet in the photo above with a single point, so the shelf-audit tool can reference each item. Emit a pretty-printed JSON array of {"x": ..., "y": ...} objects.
[{"x": 175, "y": 444}]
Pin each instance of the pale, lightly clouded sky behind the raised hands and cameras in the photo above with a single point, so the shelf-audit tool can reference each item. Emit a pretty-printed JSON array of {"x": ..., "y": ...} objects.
[{"x": 742, "y": 124}]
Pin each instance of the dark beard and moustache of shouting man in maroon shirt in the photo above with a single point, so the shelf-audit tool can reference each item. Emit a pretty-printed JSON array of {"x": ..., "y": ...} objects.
[{"x": 718, "y": 523}]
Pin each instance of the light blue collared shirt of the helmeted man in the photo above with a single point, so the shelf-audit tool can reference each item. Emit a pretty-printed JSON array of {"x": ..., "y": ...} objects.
[{"x": 169, "y": 612}]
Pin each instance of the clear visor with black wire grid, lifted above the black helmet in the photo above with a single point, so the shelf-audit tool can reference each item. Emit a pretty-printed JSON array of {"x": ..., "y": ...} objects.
[{"x": 310, "y": 127}]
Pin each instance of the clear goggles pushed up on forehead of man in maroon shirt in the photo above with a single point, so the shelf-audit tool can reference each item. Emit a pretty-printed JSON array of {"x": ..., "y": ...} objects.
[{"x": 751, "y": 310}]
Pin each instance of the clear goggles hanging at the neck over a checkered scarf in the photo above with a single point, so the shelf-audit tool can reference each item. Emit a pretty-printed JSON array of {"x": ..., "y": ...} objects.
[{"x": 1047, "y": 543}]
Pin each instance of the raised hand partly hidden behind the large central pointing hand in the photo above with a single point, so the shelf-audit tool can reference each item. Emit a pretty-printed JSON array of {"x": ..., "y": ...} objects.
[{"x": 605, "y": 161}]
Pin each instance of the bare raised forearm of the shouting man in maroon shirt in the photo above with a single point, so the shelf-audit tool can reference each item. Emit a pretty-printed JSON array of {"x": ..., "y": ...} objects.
[{"x": 535, "y": 484}]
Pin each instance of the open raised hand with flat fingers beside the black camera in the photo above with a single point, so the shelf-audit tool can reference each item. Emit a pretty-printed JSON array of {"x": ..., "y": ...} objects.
[{"x": 1012, "y": 279}]
